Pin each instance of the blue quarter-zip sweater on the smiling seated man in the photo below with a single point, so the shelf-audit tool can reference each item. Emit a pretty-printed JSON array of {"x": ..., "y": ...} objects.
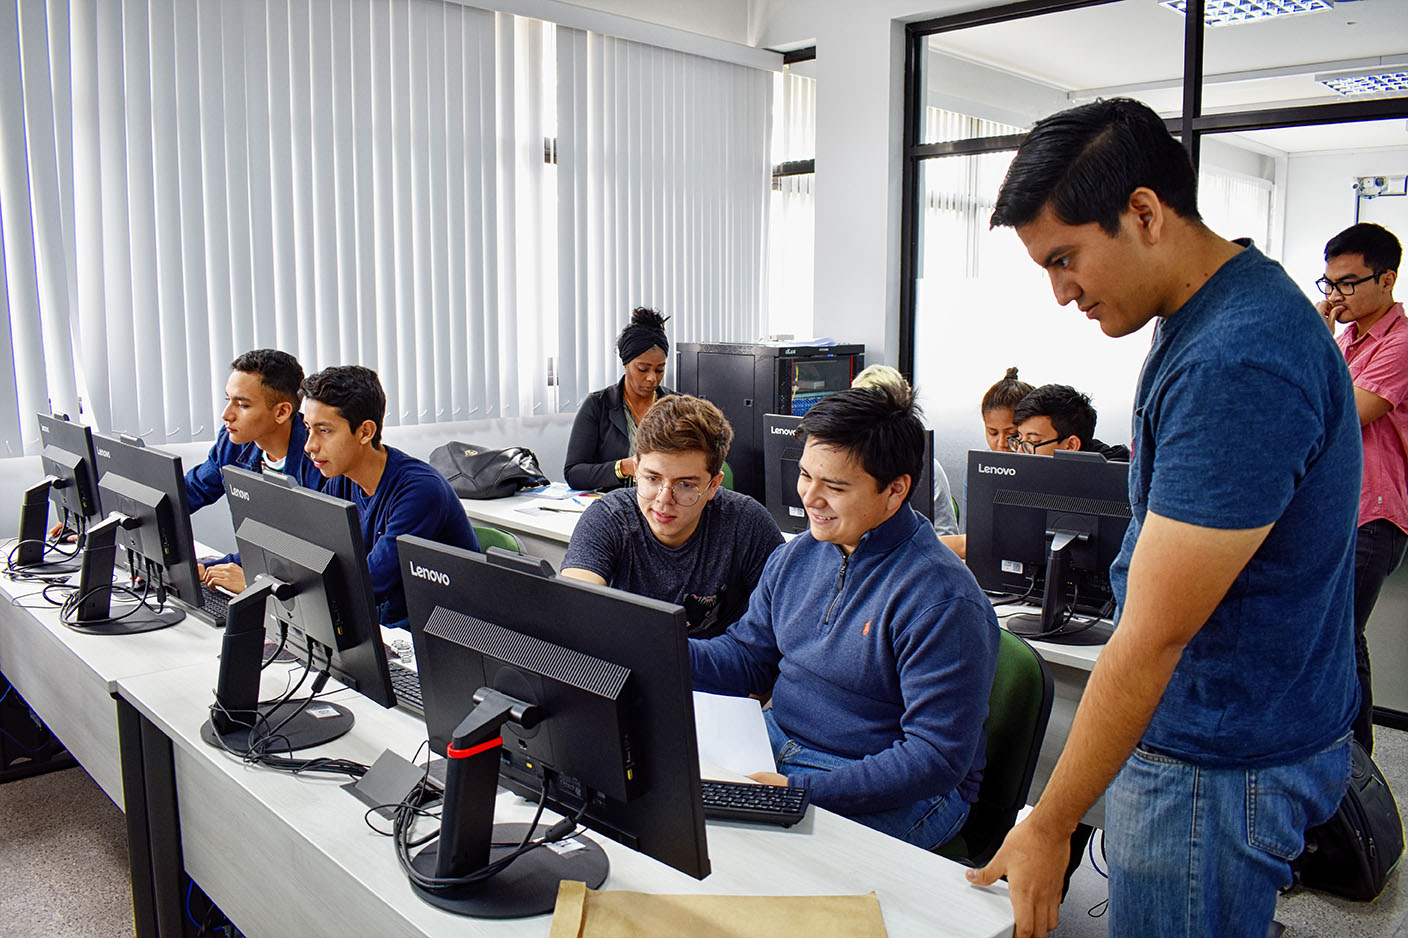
[{"x": 885, "y": 657}]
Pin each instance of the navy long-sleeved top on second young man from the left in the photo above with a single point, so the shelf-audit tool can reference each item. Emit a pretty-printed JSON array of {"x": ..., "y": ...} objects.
[{"x": 412, "y": 498}]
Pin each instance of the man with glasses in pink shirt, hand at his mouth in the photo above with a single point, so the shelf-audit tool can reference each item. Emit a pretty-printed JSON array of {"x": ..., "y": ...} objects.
[{"x": 1361, "y": 271}]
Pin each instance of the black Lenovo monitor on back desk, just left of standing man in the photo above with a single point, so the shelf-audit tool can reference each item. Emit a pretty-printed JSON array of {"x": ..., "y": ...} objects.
[{"x": 1048, "y": 529}]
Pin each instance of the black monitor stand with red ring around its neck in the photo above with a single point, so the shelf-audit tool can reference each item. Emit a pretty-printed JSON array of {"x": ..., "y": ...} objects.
[{"x": 470, "y": 840}]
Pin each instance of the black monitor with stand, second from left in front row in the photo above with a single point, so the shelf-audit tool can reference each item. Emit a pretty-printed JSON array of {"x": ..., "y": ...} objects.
[{"x": 149, "y": 518}]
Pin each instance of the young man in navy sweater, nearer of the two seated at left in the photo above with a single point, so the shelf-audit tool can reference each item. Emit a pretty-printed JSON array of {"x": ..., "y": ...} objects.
[{"x": 394, "y": 494}]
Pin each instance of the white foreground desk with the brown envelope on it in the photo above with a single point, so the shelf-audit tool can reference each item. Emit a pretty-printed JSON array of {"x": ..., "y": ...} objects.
[{"x": 289, "y": 856}]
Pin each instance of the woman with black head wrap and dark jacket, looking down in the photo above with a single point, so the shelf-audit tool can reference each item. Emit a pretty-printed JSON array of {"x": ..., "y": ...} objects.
[{"x": 603, "y": 436}]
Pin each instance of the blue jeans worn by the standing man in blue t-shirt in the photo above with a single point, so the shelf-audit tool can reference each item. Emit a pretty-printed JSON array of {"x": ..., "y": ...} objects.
[{"x": 1202, "y": 853}]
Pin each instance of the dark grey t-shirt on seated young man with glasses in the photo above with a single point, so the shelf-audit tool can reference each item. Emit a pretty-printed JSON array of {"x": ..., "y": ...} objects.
[{"x": 712, "y": 575}]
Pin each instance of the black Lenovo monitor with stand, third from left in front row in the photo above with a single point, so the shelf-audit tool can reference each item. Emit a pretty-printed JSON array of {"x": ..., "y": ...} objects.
[{"x": 306, "y": 568}]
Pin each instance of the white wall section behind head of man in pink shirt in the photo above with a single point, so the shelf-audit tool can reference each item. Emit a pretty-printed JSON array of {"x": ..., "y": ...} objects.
[{"x": 1320, "y": 204}]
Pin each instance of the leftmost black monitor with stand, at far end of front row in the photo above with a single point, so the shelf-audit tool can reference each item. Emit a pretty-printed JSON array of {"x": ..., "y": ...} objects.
[{"x": 70, "y": 482}]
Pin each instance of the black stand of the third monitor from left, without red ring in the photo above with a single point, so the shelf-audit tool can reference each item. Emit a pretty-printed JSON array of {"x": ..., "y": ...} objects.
[{"x": 237, "y": 720}]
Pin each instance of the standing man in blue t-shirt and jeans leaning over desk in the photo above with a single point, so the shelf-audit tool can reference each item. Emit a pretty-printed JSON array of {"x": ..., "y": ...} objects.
[{"x": 1219, "y": 715}]
